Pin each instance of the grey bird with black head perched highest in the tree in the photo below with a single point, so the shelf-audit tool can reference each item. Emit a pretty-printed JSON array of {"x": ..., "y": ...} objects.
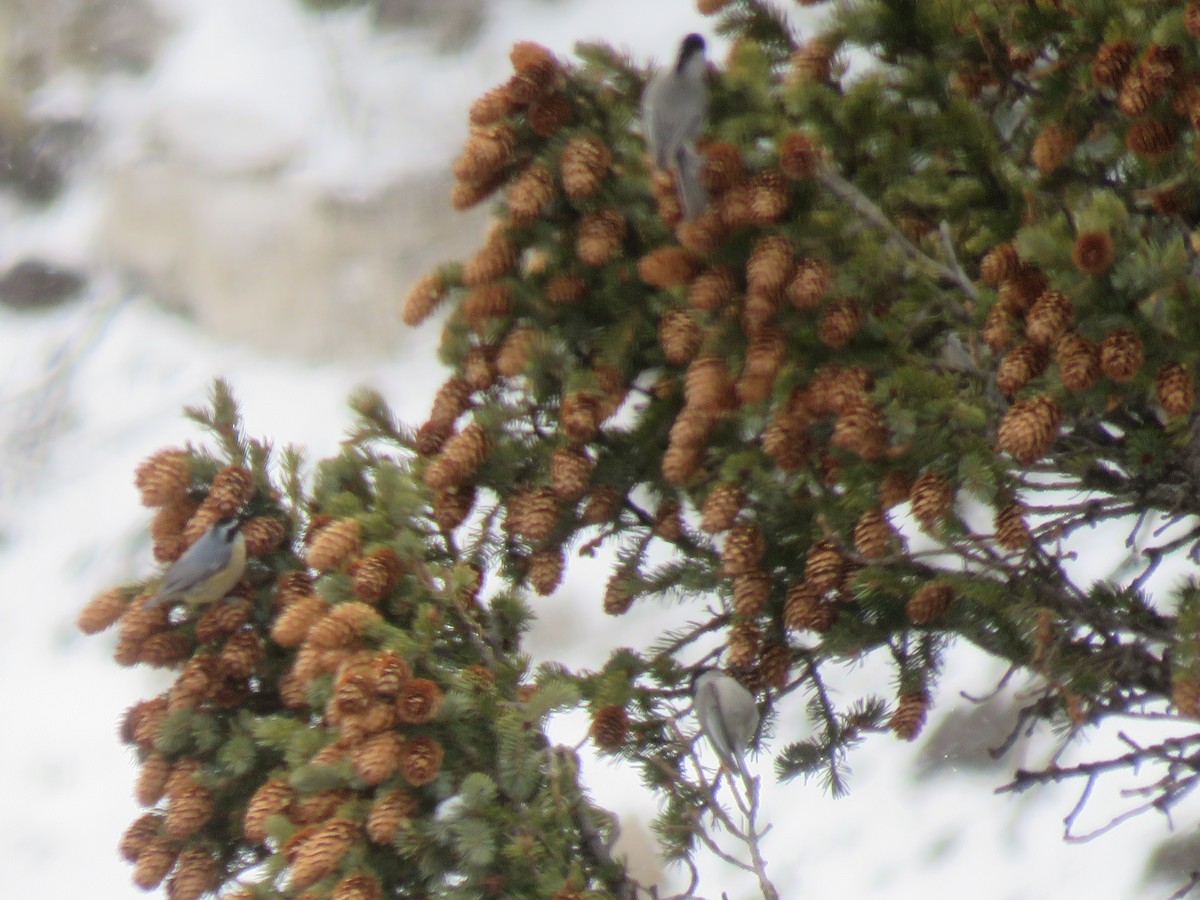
[{"x": 674, "y": 109}]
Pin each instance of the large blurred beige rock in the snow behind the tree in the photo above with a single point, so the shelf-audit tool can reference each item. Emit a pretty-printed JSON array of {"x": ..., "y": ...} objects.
[{"x": 280, "y": 267}]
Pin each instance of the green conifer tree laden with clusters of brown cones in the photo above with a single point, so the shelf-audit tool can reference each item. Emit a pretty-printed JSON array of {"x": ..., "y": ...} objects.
[{"x": 961, "y": 274}]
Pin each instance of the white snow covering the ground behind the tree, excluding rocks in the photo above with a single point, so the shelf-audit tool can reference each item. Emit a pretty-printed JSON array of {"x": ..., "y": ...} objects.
[{"x": 91, "y": 389}]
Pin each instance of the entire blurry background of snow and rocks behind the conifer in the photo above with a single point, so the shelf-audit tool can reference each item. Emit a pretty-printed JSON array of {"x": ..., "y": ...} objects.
[{"x": 245, "y": 189}]
